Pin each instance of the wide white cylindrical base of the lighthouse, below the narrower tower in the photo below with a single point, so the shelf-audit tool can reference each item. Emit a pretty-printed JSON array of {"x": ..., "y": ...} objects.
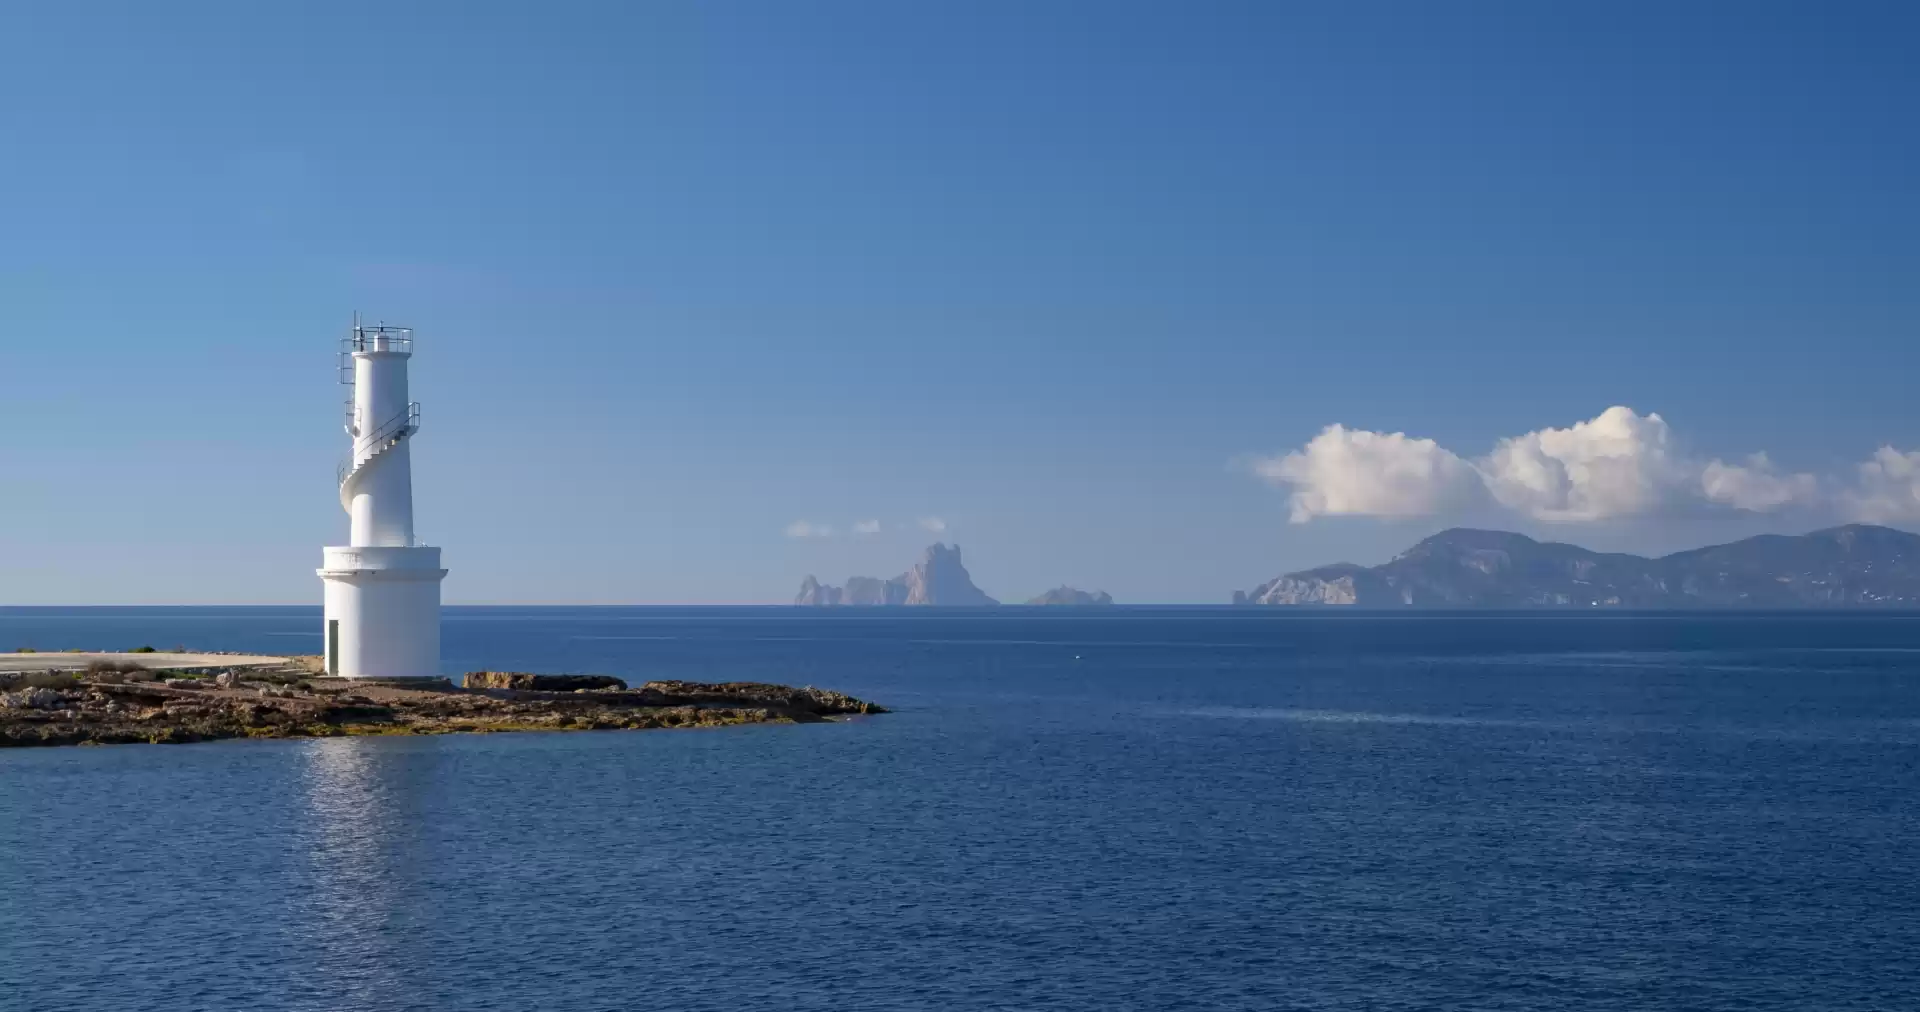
[{"x": 383, "y": 612}]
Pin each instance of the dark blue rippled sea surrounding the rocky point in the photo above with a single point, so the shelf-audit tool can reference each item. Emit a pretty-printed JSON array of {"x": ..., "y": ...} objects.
[{"x": 1080, "y": 811}]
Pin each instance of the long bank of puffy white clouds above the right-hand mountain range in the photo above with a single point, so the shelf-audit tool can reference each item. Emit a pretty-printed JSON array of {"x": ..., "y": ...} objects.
[{"x": 1616, "y": 466}]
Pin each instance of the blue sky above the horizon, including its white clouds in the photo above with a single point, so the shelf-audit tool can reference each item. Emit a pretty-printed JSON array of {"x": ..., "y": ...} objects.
[{"x": 1074, "y": 279}]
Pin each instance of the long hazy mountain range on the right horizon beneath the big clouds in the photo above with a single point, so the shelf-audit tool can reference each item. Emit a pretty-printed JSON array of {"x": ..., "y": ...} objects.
[{"x": 1852, "y": 566}]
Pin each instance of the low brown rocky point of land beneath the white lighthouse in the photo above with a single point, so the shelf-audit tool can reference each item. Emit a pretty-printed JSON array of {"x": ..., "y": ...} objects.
[{"x": 128, "y": 704}]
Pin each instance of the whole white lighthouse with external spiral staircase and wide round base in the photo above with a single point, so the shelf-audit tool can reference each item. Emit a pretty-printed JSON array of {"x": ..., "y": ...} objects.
[{"x": 383, "y": 587}]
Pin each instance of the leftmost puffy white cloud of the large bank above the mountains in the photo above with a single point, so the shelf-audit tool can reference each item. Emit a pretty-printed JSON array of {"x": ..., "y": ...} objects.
[{"x": 1358, "y": 473}]
